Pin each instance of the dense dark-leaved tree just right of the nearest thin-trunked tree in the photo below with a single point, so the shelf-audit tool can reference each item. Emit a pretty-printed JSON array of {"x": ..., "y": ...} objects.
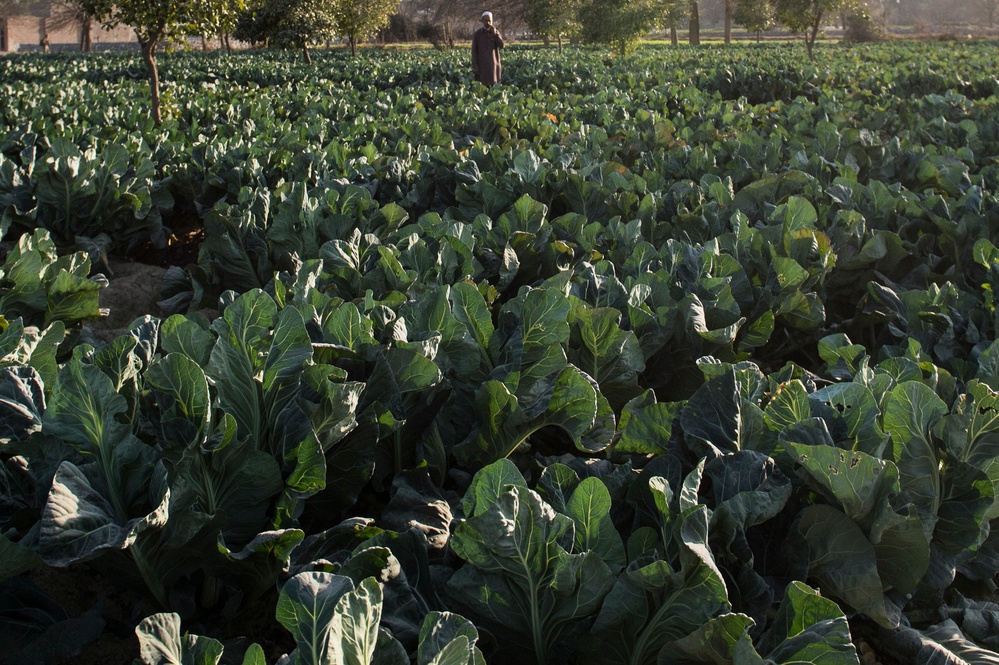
[{"x": 287, "y": 24}]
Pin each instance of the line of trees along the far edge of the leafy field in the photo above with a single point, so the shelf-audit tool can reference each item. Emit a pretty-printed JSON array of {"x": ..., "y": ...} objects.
[{"x": 298, "y": 24}]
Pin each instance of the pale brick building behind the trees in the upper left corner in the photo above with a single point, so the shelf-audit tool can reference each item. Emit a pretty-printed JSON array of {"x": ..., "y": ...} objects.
[{"x": 30, "y": 27}]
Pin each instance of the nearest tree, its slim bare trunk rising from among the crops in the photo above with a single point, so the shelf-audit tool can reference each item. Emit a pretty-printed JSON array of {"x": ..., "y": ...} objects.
[{"x": 153, "y": 23}]
